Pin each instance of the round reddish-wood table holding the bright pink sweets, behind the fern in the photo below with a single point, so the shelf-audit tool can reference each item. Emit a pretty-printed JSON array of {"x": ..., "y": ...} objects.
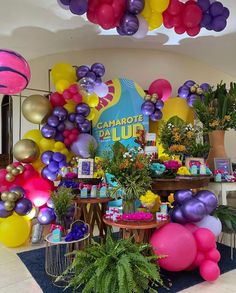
[{"x": 141, "y": 231}]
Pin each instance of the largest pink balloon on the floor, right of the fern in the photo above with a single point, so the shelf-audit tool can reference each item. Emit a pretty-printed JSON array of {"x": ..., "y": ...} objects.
[{"x": 177, "y": 244}]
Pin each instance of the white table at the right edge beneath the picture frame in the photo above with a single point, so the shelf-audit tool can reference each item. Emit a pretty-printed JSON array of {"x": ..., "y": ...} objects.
[{"x": 221, "y": 189}]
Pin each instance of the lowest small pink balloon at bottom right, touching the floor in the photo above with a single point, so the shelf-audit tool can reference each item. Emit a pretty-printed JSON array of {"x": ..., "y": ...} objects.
[{"x": 209, "y": 270}]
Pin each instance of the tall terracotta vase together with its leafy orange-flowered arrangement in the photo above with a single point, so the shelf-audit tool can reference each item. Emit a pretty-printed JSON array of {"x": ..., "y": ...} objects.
[{"x": 217, "y": 112}]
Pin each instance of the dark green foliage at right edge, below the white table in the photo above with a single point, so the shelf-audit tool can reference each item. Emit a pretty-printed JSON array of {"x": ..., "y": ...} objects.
[{"x": 227, "y": 216}]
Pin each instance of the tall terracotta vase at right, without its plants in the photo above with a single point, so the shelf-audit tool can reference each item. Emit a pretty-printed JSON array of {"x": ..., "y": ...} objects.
[{"x": 217, "y": 147}]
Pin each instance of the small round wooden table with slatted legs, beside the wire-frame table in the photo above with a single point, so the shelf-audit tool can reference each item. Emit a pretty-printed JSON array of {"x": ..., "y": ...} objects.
[{"x": 91, "y": 210}]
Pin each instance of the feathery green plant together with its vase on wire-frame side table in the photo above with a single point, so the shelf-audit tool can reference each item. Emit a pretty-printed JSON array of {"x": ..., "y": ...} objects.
[{"x": 63, "y": 206}]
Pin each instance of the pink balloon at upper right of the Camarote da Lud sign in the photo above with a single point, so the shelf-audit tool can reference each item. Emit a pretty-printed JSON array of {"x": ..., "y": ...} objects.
[{"x": 162, "y": 88}]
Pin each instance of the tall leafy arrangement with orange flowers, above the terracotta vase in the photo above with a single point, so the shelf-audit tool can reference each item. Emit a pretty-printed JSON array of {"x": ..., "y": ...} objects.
[{"x": 217, "y": 111}]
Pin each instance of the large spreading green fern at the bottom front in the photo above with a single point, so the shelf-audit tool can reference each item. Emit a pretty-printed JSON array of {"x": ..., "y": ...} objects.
[{"x": 114, "y": 266}]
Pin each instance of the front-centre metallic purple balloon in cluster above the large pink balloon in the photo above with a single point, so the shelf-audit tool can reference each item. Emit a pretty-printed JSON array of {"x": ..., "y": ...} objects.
[{"x": 193, "y": 210}]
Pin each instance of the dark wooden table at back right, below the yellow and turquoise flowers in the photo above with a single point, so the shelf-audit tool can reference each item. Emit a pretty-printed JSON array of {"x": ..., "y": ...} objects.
[{"x": 166, "y": 186}]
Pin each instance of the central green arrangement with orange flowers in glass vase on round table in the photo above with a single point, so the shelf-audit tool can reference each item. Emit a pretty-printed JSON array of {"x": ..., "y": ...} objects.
[{"x": 130, "y": 173}]
